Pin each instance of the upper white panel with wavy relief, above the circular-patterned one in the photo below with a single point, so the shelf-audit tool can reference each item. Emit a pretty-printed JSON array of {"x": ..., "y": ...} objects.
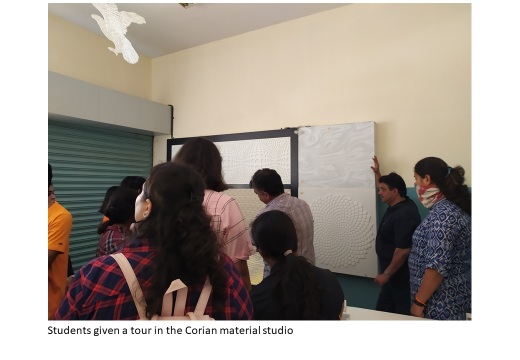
[{"x": 336, "y": 156}]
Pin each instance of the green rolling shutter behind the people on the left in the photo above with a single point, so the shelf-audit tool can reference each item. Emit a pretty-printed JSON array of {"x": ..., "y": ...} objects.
[{"x": 86, "y": 161}]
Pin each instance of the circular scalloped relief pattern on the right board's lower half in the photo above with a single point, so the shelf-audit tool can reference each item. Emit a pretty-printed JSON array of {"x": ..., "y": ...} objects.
[{"x": 342, "y": 231}]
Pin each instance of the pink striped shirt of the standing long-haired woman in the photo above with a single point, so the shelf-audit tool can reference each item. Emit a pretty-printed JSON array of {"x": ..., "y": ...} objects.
[{"x": 228, "y": 222}]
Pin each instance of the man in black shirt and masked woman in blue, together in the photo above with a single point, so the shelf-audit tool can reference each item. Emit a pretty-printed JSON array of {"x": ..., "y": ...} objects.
[{"x": 426, "y": 265}]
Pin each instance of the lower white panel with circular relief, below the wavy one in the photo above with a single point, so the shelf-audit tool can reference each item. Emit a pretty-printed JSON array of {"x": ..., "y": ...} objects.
[{"x": 344, "y": 229}]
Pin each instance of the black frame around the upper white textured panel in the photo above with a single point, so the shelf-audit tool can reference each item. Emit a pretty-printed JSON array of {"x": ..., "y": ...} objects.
[{"x": 287, "y": 132}]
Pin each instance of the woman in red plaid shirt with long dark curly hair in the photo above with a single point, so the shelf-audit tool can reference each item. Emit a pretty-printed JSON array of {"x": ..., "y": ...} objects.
[{"x": 174, "y": 240}]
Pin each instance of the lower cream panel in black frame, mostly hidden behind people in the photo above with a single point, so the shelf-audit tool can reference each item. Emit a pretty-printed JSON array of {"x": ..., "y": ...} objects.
[{"x": 251, "y": 206}]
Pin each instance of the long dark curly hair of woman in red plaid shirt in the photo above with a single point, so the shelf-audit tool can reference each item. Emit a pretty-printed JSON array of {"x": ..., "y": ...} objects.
[{"x": 187, "y": 245}]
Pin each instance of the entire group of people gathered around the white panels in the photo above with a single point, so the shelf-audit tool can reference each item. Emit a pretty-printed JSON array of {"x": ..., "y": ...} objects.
[{"x": 178, "y": 225}]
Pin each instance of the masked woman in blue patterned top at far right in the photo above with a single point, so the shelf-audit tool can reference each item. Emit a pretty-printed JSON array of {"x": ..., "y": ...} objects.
[{"x": 440, "y": 257}]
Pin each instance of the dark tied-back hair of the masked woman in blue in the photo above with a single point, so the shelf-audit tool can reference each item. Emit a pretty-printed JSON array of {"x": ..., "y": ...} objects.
[{"x": 450, "y": 184}]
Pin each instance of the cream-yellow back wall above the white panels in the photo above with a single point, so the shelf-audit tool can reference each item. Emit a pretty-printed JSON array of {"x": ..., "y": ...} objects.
[{"x": 405, "y": 66}]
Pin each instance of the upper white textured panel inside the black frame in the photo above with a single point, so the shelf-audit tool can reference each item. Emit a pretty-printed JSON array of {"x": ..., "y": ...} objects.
[{"x": 241, "y": 159}]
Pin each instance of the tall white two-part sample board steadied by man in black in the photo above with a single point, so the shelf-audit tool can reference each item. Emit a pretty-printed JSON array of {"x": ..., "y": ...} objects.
[{"x": 335, "y": 179}]
